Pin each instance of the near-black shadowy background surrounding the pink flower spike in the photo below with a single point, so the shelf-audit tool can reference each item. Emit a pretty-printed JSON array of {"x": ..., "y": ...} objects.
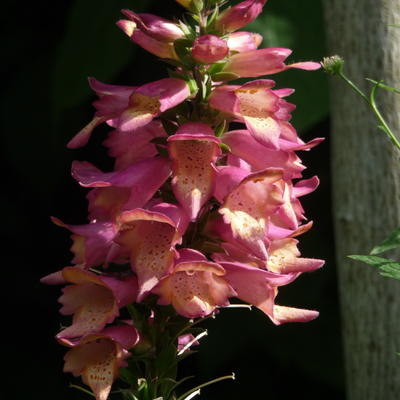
[{"x": 49, "y": 49}]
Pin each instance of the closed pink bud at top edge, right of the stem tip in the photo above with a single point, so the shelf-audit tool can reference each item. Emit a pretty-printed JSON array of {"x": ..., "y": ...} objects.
[{"x": 233, "y": 18}]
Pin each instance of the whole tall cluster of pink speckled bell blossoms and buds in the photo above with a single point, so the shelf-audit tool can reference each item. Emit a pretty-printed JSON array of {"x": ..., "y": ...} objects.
[{"x": 197, "y": 213}]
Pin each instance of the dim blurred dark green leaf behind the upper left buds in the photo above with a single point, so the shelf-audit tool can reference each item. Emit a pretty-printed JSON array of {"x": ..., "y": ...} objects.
[{"x": 92, "y": 46}]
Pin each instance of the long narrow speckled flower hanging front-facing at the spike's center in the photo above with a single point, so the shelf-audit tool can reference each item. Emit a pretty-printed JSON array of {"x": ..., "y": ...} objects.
[{"x": 194, "y": 150}]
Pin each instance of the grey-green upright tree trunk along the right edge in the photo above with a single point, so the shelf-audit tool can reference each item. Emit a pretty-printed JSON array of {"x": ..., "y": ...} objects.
[{"x": 366, "y": 187}]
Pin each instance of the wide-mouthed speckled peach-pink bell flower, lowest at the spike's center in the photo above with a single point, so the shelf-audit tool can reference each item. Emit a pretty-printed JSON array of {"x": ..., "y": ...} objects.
[{"x": 195, "y": 286}]
